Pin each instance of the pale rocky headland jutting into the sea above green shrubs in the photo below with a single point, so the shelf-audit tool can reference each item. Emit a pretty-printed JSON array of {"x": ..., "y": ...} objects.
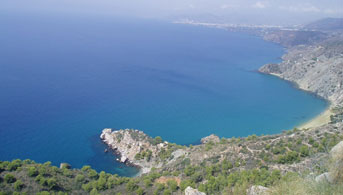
[{"x": 136, "y": 148}]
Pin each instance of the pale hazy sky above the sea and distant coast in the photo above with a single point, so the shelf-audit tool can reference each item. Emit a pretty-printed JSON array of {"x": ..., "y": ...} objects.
[{"x": 233, "y": 11}]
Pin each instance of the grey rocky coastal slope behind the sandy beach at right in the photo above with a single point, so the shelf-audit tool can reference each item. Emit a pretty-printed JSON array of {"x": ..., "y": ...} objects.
[{"x": 316, "y": 68}]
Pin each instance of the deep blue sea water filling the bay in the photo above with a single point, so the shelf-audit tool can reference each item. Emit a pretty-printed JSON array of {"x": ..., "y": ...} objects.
[{"x": 64, "y": 79}]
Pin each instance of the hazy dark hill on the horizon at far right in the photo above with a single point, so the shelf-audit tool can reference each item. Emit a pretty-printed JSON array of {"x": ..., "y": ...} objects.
[{"x": 326, "y": 24}]
